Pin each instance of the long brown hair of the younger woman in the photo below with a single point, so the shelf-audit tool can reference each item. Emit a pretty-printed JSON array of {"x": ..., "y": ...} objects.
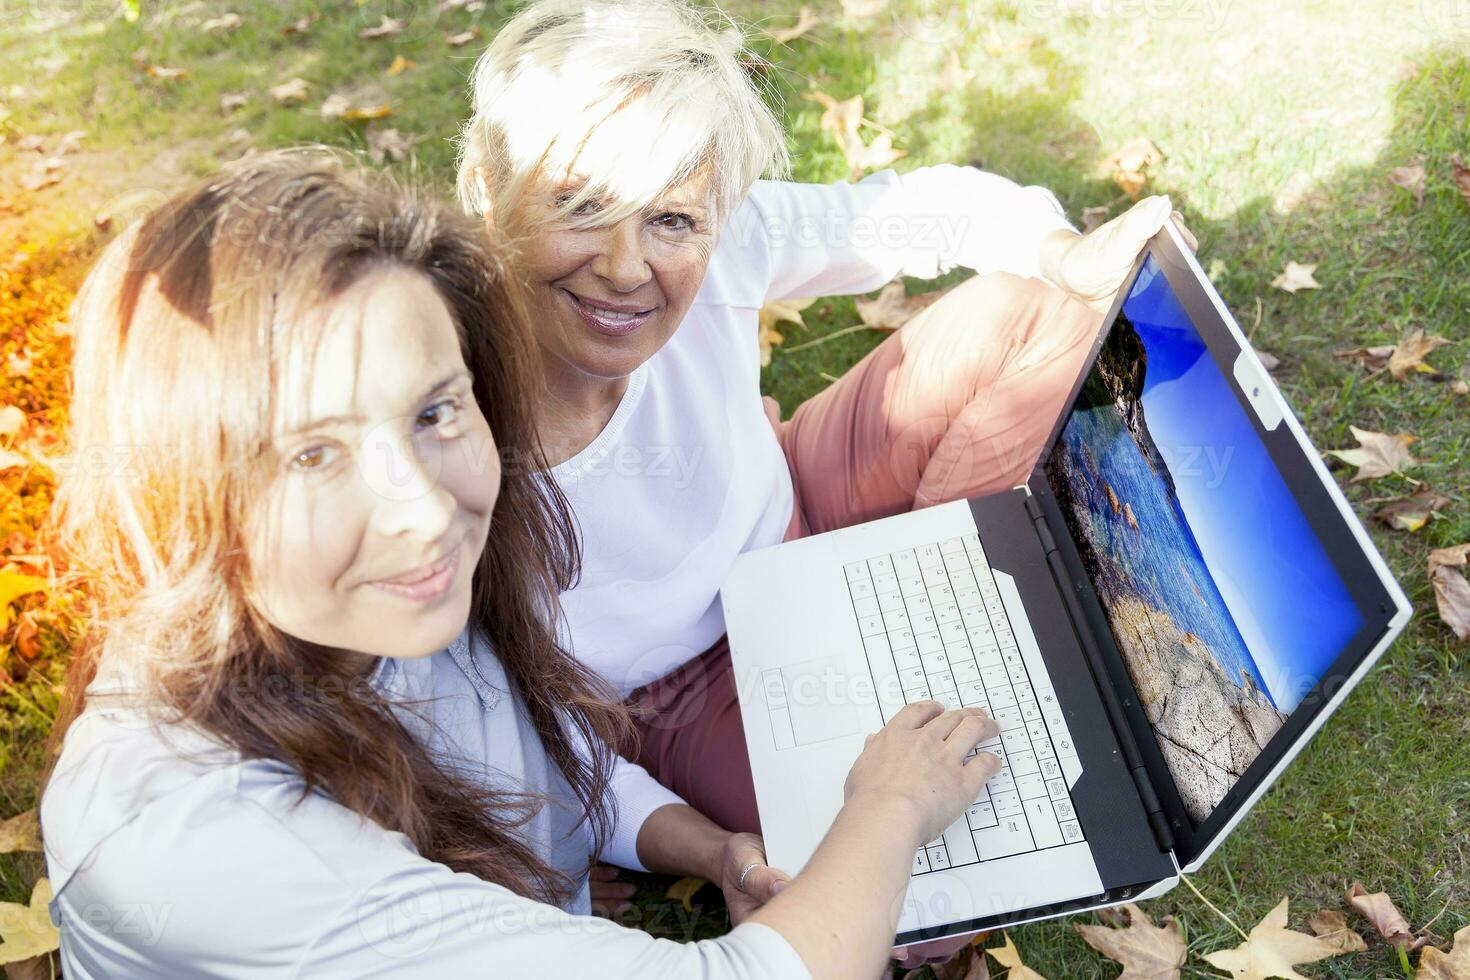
[{"x": 180, "y": 334}]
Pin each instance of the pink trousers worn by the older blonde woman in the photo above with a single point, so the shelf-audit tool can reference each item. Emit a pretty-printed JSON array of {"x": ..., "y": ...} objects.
[{"x": 955, "y": 405}]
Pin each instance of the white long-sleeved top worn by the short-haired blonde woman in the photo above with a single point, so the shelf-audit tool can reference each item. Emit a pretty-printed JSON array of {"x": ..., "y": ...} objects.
[{"x": 689, "y": 474}]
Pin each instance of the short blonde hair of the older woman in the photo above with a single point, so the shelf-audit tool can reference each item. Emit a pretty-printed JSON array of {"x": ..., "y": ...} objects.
[{"x": 648, "y": 93}]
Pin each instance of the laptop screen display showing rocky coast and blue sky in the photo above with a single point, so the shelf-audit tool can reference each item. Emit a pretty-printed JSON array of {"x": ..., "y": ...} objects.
[{"x": 1222, "y": 602}]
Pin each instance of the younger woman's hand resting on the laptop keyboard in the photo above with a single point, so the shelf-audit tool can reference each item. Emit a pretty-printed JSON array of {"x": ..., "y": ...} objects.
[{"x": 919, "y": 768}]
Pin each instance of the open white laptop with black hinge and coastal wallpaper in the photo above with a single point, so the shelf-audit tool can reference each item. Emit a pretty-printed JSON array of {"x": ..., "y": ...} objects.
[{"x": 1159, "y": 621}]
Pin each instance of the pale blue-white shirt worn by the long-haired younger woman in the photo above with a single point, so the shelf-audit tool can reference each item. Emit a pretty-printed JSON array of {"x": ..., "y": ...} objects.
[{"x": 173, "y": 857}]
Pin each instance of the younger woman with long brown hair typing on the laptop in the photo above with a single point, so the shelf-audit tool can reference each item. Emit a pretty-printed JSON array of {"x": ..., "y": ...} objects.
[{"x": 323, "y": 725}]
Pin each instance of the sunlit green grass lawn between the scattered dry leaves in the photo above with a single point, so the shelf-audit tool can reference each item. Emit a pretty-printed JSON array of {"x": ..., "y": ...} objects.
[{"x": 1277, "y": 123}]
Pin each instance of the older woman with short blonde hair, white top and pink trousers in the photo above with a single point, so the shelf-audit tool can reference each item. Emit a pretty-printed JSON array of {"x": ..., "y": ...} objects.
[{"x": 625, "y": 142}]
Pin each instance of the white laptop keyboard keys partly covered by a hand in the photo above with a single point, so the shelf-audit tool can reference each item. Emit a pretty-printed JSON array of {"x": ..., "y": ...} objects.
[{"x": 937, "y": 615}]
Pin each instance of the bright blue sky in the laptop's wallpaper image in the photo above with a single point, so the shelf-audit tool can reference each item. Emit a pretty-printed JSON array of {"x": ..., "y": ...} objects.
[{"x": 1287, "y": 599}]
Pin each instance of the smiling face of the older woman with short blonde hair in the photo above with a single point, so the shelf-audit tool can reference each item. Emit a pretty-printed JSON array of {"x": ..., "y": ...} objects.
[{"x": 608, "y": 298}]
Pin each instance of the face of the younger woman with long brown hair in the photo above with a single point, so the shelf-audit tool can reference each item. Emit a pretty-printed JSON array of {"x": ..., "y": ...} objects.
[{"x": 386, "y": 478}]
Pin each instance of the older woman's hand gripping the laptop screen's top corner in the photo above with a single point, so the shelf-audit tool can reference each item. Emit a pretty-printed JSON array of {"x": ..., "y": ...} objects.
[{"x": 1094, "y": 267}]
